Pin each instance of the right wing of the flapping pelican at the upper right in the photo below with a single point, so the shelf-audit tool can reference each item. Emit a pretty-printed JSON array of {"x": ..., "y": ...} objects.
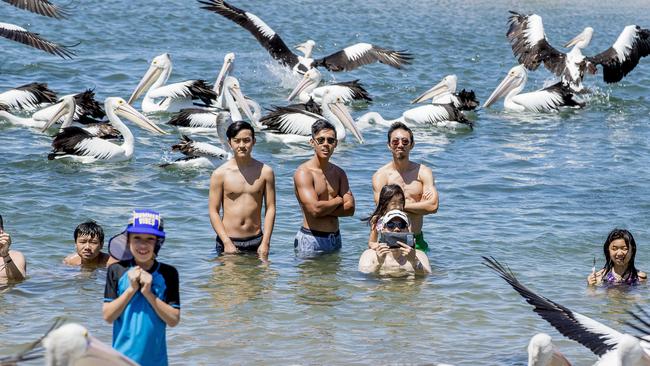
[{"x": 618, "y": 60}]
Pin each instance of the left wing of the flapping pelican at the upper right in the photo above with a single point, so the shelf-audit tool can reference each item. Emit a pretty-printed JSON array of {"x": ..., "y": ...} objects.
[{"x": 530, "y": 46}]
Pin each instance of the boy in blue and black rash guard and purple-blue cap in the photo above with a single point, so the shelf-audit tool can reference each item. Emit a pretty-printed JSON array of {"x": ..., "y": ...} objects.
[{"x": 141, "y": 295}]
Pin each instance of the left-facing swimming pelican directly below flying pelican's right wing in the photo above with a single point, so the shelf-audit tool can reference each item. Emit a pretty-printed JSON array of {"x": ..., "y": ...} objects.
[{"x": 308, "y": 89}]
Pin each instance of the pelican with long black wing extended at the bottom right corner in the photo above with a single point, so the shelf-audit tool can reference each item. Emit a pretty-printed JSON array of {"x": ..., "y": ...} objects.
[{"x": 613, "y": 347}]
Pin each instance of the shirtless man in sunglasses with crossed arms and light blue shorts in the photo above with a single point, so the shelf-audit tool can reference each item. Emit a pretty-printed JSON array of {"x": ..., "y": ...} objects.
[{"x": 324, "y": 195}]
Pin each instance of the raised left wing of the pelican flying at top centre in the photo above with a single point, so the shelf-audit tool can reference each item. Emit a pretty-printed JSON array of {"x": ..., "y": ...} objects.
[{"x": 256, "y": 26}]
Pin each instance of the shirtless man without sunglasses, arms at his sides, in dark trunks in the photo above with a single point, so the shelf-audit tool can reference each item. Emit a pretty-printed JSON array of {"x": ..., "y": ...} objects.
[{"x": 239, "y": 186}]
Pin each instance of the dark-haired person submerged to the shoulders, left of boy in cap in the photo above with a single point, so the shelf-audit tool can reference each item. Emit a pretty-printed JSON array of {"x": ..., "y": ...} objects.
[{"x": 89, "y": 241}]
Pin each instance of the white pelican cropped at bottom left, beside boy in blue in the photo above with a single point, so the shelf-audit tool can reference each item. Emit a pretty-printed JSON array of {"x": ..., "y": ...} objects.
[{"x": 70, "y": 345}]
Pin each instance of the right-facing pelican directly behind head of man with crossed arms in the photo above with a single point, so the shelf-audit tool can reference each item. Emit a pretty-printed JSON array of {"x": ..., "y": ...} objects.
[{"x": 293, "y": 124}]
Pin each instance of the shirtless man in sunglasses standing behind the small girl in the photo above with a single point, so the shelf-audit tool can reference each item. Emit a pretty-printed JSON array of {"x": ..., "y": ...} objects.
[{"x": 415, "y": 179}]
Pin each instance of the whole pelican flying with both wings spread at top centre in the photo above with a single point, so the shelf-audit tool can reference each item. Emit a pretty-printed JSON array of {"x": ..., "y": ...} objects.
[{"x": 347, "y": 59}]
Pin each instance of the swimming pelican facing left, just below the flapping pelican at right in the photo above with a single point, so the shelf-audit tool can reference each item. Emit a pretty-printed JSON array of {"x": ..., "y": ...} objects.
[{"x": 550, "y": 98}]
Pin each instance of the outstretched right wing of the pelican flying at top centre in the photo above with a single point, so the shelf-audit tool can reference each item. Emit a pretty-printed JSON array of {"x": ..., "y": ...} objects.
[{"x": 361, "y": 54}]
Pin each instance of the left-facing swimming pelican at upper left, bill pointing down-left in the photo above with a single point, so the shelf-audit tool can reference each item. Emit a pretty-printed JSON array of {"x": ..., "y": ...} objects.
[{"x": 176, "y": 96}]
